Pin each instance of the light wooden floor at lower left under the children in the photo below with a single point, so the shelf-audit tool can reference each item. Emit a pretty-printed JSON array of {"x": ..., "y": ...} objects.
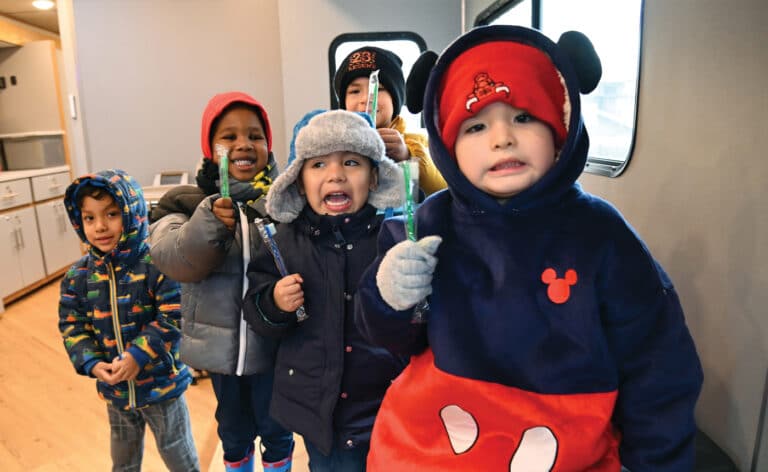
[{"x": 51, "y": 419}]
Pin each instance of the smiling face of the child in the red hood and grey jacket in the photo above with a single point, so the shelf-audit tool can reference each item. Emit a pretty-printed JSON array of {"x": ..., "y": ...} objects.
[{"x": 240, "y": 131}]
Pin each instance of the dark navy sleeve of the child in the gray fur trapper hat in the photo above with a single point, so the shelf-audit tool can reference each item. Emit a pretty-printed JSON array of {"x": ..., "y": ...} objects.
[{"x": 259, "y": 308}]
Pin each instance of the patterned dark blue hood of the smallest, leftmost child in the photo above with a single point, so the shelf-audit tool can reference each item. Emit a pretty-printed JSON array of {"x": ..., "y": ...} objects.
[{"x": 130, "y": 198}]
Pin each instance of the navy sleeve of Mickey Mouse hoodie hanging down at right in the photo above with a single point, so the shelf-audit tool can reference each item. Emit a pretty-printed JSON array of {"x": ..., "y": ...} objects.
[{"x": 660, "y": 375}]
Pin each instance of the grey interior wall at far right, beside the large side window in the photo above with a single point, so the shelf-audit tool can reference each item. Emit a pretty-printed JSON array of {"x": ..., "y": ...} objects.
[{"x": 695, "y": 191}]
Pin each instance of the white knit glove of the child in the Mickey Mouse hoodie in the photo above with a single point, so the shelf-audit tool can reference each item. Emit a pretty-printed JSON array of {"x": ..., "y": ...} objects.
[{"x": 405, "y": 274}]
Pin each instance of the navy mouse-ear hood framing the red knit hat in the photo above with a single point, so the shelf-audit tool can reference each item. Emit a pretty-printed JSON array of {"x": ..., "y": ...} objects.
[{"x": 578, "y": 65}]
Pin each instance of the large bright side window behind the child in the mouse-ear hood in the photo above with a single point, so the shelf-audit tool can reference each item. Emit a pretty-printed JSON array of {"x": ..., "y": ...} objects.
[{"x": 610, "y": 110}]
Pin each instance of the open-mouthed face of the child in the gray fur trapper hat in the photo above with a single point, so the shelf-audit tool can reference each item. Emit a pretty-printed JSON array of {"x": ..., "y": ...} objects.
[{"x": 337, "y": 183}]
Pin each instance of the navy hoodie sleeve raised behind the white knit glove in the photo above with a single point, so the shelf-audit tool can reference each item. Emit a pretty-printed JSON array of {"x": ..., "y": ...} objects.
[{"x": 381, "y": 324}]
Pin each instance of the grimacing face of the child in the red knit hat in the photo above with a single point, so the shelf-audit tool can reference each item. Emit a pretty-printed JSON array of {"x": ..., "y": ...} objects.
[{"x": 503, "y": 150}]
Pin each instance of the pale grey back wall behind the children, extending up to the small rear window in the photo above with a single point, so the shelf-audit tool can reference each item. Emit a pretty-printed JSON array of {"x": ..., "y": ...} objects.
[{"x": 146, "y": 68}]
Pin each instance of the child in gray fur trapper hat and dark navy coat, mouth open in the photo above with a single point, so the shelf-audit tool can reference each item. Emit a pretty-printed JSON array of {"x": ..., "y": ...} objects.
[{"x": 329, "y": 381}]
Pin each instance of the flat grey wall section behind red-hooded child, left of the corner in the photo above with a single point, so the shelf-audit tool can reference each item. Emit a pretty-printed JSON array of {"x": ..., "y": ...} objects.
[{"x": 146, "y": 69}]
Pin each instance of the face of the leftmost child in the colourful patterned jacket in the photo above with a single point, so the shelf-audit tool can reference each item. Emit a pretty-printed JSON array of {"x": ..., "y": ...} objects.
[{"x": 102, "y": 222}]
